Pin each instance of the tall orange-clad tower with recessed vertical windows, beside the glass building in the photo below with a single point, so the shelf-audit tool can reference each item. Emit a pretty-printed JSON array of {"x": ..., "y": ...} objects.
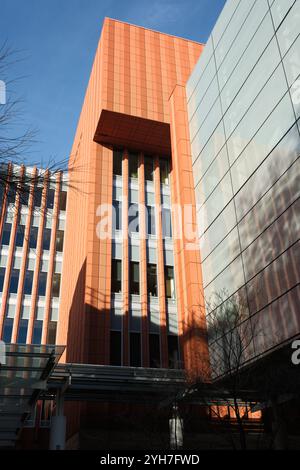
[{"x": 131, "y": 291}]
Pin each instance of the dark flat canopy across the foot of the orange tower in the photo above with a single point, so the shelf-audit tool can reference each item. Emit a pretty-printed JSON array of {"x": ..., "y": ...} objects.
[{"x": 114, "y": 384}]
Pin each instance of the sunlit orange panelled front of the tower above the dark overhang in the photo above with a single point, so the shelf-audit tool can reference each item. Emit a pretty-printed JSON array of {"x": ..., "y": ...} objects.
[{"x": 143, "y": 67}]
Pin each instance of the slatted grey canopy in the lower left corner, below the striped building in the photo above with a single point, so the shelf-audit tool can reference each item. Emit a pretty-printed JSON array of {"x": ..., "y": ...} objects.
[{"x": 23, "y": 374}]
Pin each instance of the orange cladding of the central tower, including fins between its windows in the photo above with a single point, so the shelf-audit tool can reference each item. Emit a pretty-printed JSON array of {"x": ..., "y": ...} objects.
[{"x": 135, "y": 100}]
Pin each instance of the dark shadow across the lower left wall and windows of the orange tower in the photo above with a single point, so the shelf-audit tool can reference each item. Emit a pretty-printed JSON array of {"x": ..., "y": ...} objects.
[{"x": 89, "y": 333}]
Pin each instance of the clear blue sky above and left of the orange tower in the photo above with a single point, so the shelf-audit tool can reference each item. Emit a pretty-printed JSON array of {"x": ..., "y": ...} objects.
[{"x": 57, "y": 40}]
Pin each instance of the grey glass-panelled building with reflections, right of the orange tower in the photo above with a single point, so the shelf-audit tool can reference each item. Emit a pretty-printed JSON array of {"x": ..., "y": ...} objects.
[{"x": 243, "y": 107}]
